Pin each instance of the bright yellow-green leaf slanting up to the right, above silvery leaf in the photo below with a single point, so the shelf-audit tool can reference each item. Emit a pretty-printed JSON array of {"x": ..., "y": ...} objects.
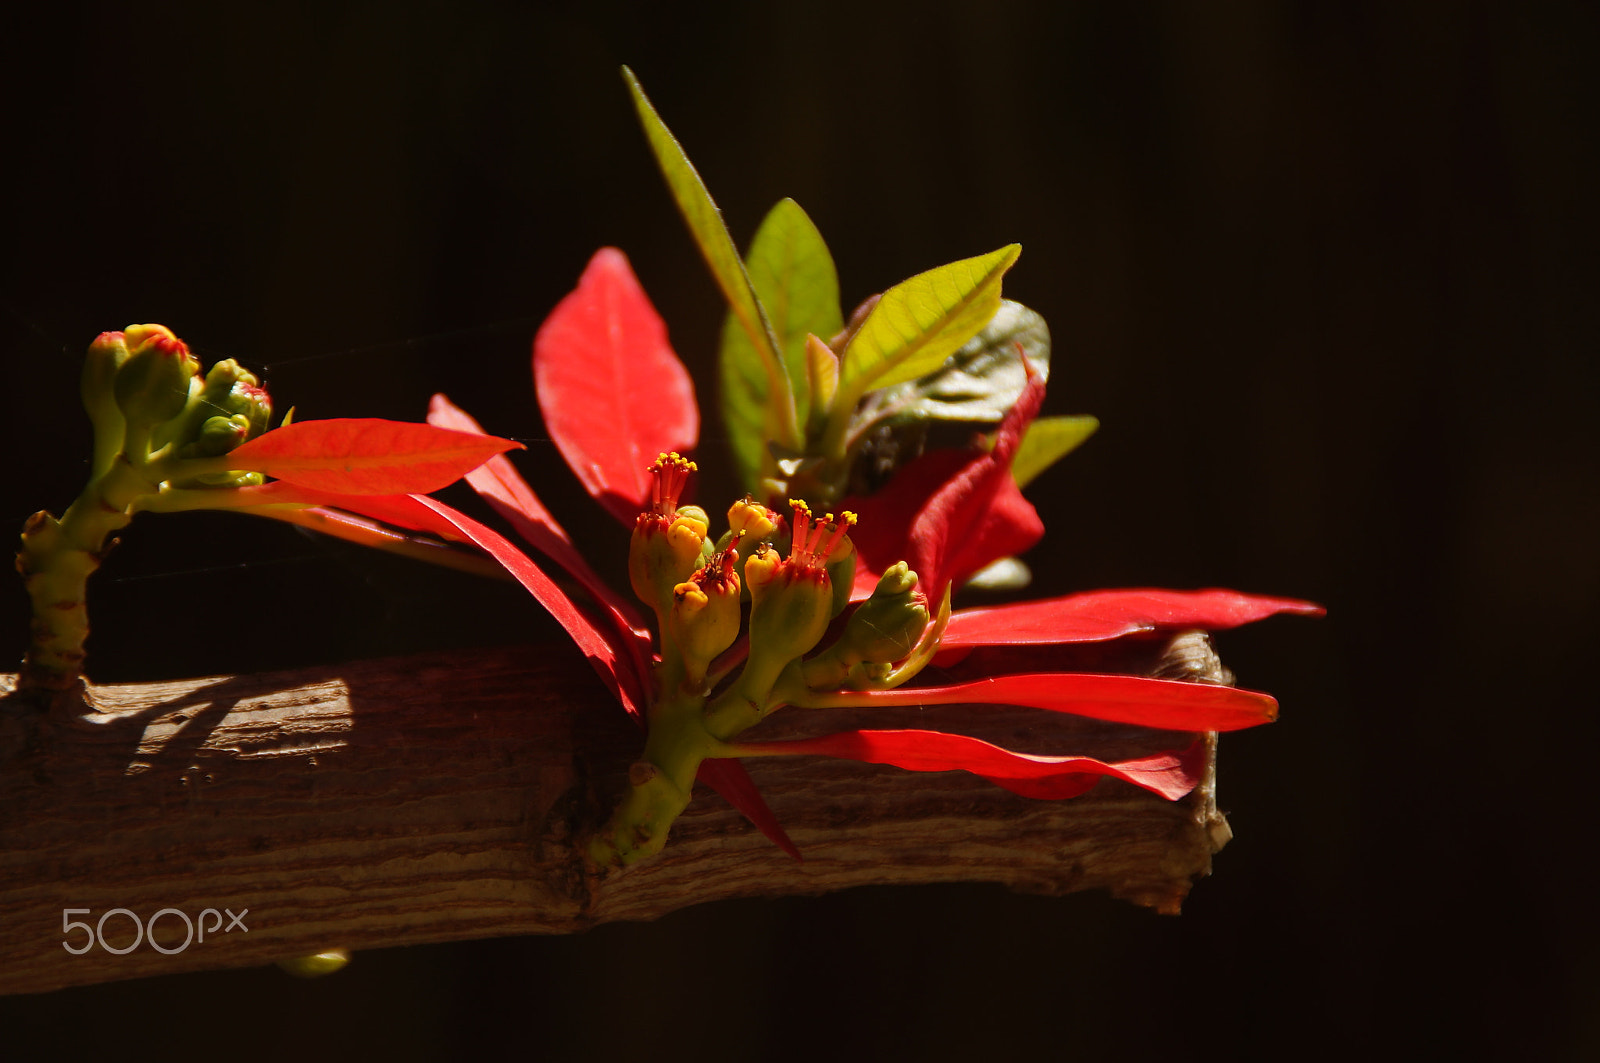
[{"x": 924, "y": 321}]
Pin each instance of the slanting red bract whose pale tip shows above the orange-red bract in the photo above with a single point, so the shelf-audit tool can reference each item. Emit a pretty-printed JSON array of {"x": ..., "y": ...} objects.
[{"x": 498, "y": 483}]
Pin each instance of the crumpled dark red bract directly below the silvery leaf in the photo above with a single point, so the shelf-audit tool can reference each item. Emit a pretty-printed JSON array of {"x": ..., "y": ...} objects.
[{"x": 948, "y": 515}]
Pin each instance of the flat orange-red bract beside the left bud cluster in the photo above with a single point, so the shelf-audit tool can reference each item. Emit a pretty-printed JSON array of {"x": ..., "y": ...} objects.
[{"x": 367, "y": 455}]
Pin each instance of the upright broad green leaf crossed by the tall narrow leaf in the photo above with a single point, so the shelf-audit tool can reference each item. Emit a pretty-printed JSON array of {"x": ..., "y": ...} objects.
[{"x": 798, "y": 286}]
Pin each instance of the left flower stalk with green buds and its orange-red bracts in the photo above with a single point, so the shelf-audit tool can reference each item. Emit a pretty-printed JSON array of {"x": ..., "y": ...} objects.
[{"x": 169, "y": 439}]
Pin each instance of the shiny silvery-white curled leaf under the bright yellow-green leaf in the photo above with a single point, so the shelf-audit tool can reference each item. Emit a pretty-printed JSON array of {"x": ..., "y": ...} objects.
[{"x": 978, "y": 383}]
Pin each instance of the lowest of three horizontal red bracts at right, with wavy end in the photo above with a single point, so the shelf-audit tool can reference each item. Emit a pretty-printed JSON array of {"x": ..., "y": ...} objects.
[{"x": 1167, "y": 774}]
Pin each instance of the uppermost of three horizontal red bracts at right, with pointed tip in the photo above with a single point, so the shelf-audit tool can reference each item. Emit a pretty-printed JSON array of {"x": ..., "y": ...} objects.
[{"x": 1103, "y": 616}]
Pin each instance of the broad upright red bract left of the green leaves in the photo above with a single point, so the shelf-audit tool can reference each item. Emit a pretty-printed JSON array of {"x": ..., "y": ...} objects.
[{"x": 612, "y": 391}]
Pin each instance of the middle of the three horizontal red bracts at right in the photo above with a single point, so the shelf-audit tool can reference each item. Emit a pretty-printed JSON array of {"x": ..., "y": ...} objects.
[{"x": 1164, "y": 704}]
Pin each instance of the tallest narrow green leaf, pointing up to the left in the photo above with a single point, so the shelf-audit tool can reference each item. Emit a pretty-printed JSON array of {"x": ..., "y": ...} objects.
[{"x": 711, "y": 235}]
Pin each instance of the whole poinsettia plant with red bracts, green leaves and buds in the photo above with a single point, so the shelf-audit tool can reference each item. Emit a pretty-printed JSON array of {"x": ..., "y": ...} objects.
[{"x": 831, "y": 585}]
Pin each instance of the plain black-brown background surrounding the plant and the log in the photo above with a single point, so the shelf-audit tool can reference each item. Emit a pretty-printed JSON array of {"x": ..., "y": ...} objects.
[{"x": 1322, "y": 273}]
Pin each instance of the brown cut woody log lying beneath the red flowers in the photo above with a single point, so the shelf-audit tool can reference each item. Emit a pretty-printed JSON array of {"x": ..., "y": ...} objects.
[{"x": 436, "y": 798}]
